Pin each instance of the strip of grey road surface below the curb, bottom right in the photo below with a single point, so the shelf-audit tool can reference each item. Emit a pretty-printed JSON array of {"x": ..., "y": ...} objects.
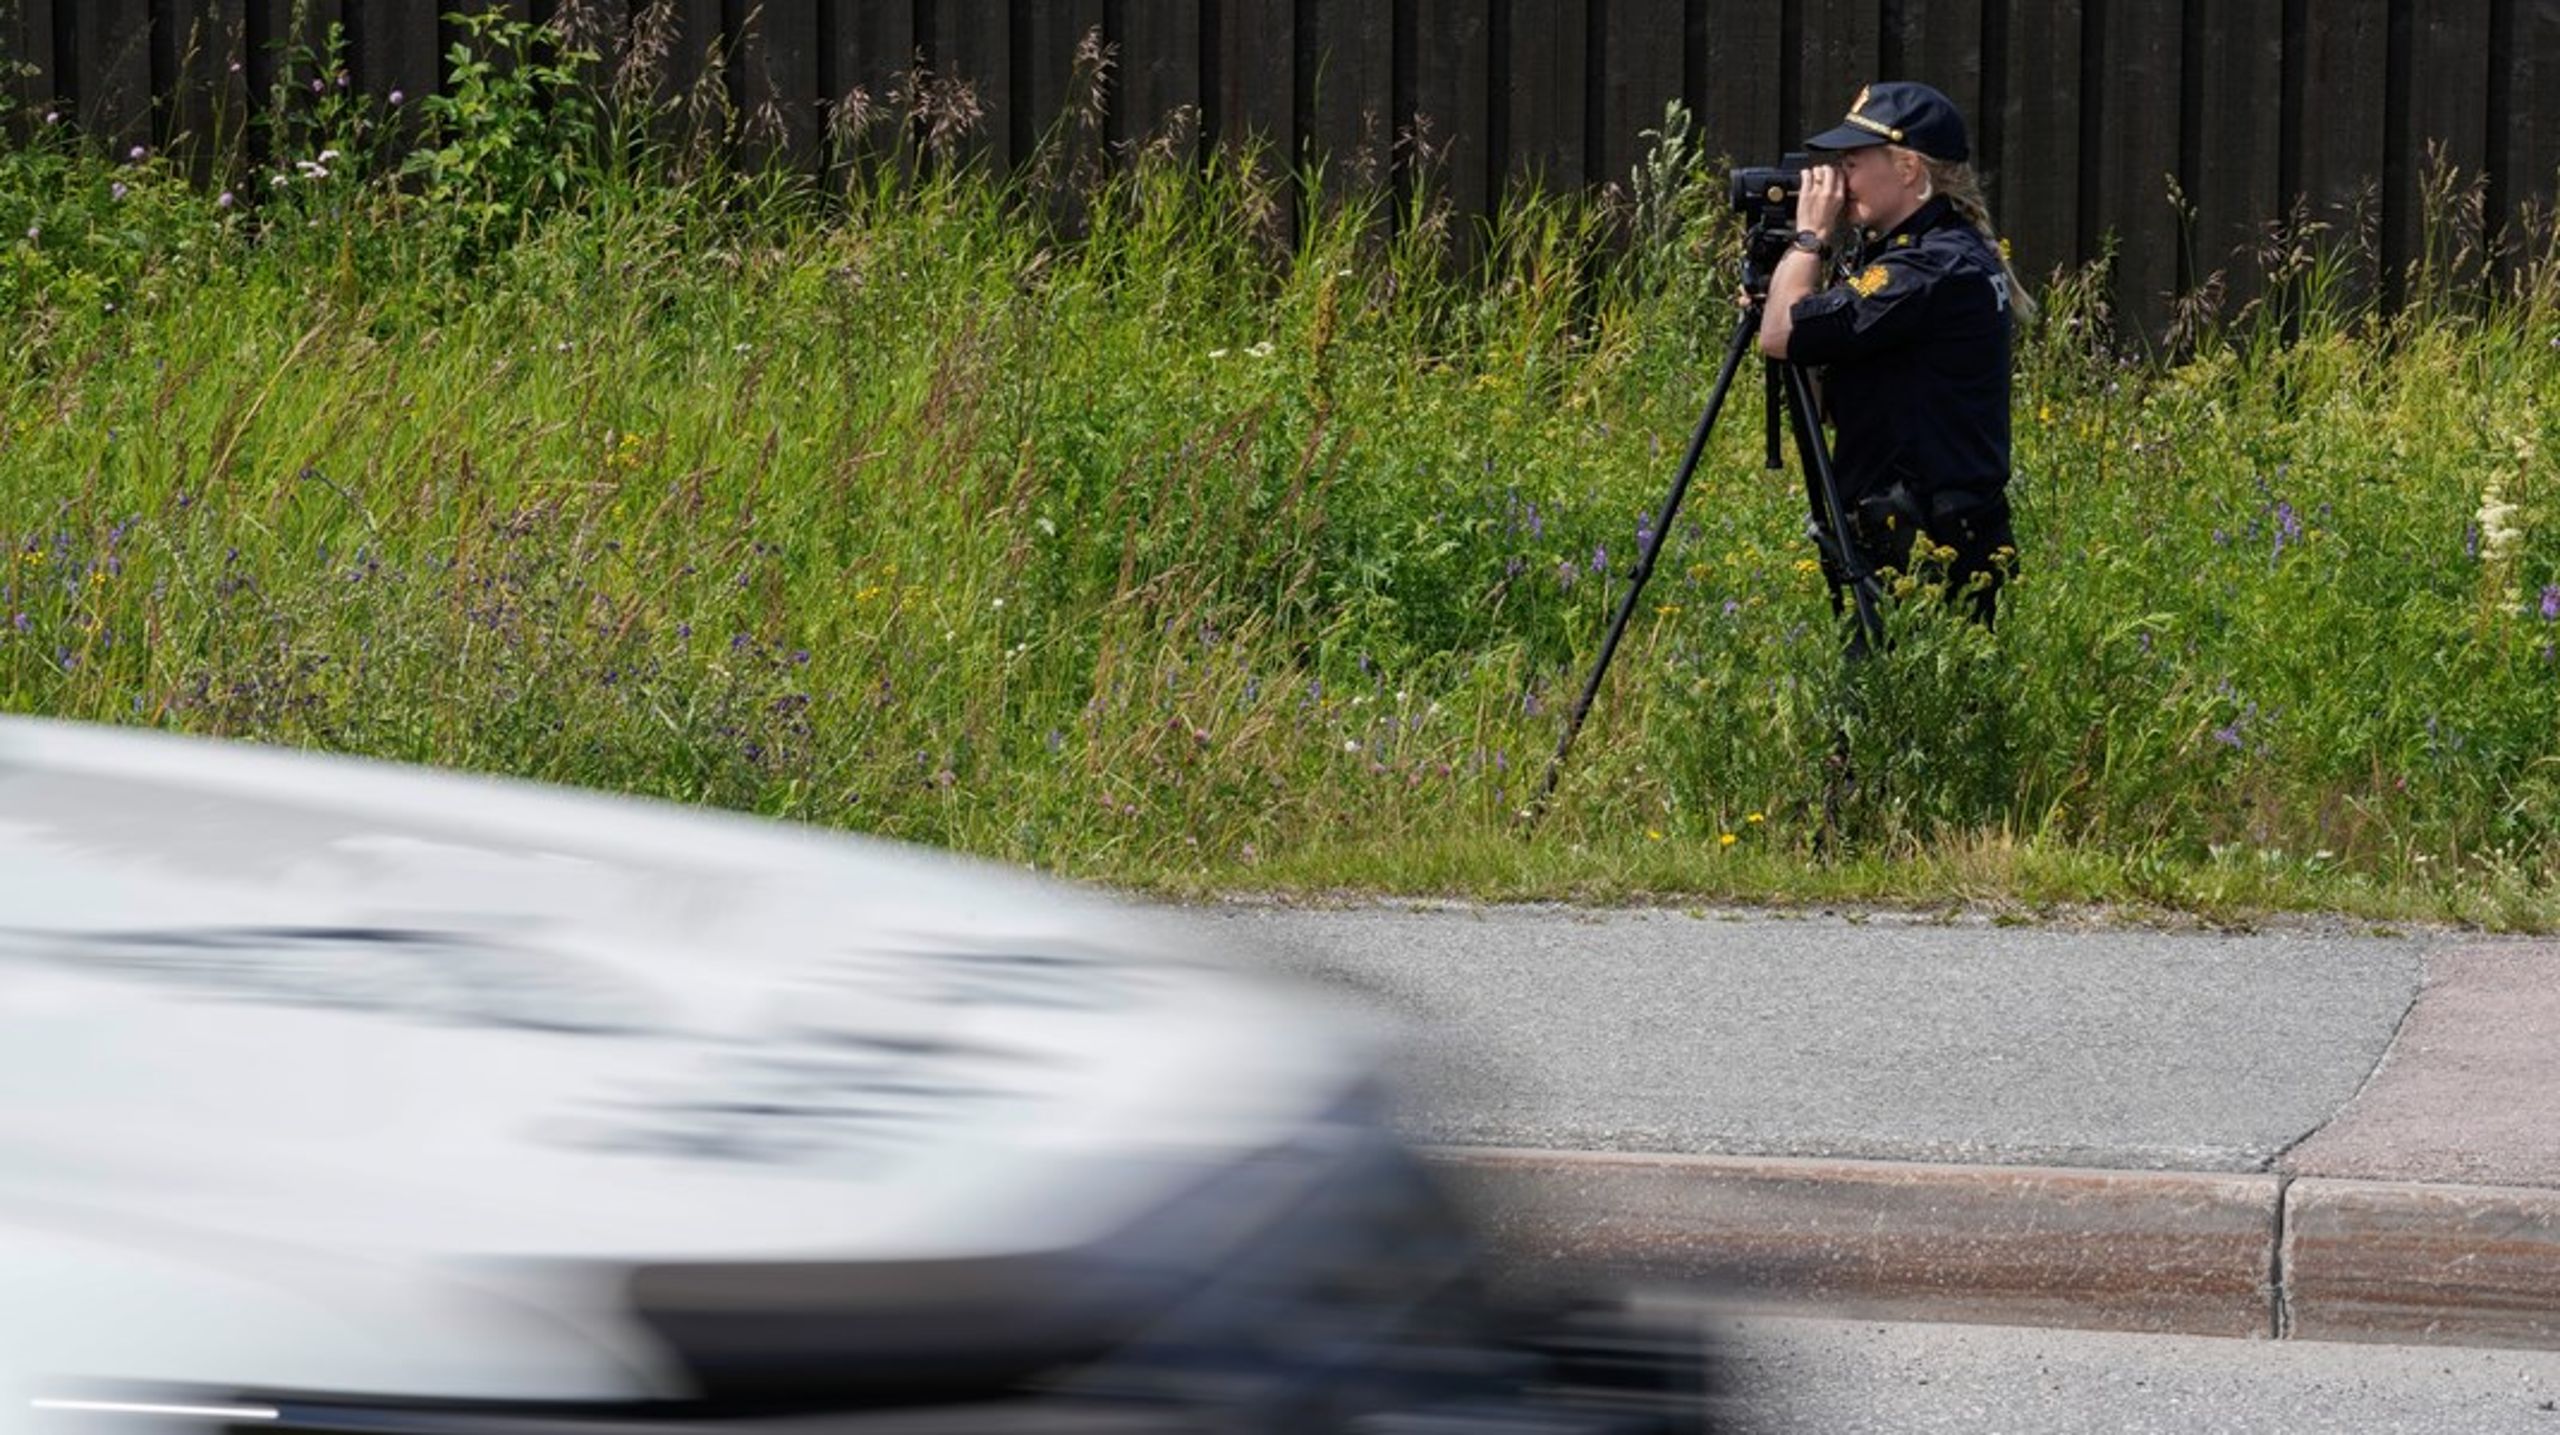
[{"x": 1824, "y": 1377}]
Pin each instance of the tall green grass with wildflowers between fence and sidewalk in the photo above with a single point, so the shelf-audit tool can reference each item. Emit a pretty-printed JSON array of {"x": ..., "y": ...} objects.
[{"x": 1202, "y": 526}]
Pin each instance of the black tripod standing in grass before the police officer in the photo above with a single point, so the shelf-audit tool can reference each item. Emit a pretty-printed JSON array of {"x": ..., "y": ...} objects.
[{"x": 1791, "y": 393}]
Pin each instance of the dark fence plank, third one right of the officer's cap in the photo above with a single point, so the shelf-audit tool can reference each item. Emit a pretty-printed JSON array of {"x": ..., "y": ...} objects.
[{"x": 2234, "y": 157}]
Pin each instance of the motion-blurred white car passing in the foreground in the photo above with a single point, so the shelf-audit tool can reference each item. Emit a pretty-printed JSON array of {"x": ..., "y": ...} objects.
[{"x": 339, "y": 1096}]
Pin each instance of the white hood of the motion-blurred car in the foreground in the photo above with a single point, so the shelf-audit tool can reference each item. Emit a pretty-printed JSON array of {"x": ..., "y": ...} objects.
[{"x": 262, "y": 1001}]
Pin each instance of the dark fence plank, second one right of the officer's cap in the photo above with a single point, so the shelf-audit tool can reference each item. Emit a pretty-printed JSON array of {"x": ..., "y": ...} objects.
[{"x": 2139, "y": 152}]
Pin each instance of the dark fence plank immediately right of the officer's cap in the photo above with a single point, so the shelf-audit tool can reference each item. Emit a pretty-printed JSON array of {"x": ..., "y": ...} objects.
[{"x": 2039, "y": 185}]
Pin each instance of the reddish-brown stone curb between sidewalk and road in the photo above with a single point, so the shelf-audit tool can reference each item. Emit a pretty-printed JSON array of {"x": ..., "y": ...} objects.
[{"x": 2159, "y": 1252}]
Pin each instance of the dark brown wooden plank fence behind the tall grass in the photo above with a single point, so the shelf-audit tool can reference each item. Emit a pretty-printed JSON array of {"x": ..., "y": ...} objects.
[{"x": 2085, "y": 111}]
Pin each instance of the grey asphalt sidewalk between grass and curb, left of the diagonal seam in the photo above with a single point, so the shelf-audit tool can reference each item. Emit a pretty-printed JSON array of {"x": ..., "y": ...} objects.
[{"x": 1860, "y": 1037}]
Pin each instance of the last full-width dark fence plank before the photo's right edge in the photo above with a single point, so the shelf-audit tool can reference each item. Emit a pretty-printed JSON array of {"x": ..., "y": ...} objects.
[{"x": 2446, "y": 122}]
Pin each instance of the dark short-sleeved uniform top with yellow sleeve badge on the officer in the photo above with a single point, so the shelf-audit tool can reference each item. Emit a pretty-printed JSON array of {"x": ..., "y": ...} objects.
[{"x": 1916, "y": 352}]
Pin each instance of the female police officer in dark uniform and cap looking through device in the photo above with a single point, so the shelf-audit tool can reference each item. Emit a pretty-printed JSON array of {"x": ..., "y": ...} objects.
[{"x": 1914, "y": 341}]
